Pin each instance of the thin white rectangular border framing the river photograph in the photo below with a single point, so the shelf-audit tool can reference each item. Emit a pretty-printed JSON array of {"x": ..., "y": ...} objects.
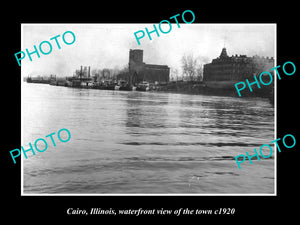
[{"x": 179, "y": 194}]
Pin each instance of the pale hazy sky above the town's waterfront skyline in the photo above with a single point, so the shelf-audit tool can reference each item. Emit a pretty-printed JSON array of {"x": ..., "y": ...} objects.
[{"x": 107, "y": 45}]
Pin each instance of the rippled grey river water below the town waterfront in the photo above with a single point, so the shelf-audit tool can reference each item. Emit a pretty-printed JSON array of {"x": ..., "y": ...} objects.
[{"x": 144, "y": 143}]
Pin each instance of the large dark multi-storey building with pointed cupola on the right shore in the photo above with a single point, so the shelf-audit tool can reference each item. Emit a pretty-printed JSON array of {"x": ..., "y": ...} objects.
[{"x": 235, "y": 68}]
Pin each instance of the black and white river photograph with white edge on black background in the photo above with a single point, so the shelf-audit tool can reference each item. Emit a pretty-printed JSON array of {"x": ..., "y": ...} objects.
[{"x": 106, "y": 113}]
